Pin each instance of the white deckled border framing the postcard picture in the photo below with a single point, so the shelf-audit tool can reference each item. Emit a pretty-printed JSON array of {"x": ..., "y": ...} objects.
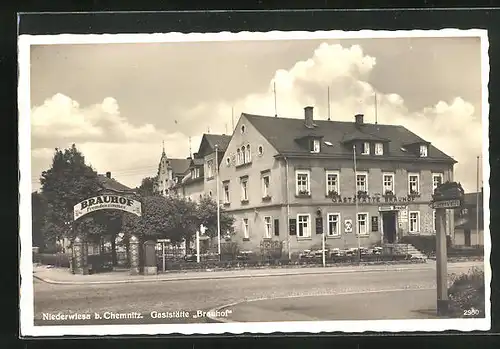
[{"x": 26, "y": 266}]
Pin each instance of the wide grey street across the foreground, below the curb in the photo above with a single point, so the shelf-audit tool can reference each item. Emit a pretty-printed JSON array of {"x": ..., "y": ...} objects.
[{"x": 353, "y": 295}]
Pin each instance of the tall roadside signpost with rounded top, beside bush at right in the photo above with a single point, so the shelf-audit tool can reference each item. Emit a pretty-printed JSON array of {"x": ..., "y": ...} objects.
[{"x": 446, "y": 196}]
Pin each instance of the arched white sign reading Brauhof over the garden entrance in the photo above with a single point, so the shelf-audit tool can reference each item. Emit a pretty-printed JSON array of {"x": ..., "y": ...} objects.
[{"x": 104, "y": 202}]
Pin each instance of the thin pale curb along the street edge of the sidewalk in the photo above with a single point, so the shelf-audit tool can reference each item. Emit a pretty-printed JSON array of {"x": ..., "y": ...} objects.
[{"x": 220, "y": 277}]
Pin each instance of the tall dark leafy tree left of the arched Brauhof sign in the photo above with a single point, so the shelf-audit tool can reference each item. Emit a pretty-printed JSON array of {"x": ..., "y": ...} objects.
[{"x": 67, "y": 182}]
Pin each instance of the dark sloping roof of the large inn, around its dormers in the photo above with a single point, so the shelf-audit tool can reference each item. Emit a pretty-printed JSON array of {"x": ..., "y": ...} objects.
[{"x": 283, "y": 132}]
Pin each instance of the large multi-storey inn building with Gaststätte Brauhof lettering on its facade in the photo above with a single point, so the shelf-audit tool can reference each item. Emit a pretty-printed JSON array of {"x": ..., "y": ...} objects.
[{"x": 291, "y": 179}]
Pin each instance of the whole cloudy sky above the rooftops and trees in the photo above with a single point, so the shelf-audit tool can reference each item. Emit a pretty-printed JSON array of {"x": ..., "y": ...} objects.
[{"x": 119, "y": 102}]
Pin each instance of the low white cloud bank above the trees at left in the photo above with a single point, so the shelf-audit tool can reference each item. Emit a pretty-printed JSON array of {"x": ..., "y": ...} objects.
[{"x": 107, "y": 140}]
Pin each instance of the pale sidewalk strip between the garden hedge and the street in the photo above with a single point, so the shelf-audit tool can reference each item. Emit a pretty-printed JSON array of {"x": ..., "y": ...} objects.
[{"x": 62, "y": 276}]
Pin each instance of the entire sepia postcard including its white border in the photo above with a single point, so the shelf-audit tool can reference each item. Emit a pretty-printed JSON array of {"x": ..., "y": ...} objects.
[{"x": 254, "y": 182}]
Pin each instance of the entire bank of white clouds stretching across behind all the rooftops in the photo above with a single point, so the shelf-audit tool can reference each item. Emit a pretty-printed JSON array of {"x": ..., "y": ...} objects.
[{"x": 108, "y": 139}]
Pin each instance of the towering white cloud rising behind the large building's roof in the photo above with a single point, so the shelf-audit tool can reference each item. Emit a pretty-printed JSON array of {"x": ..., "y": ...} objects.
[{"x": 453, "y": 126}]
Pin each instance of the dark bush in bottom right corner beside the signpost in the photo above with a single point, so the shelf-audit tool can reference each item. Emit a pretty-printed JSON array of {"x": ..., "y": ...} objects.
[{"x": 466, "y": 294}]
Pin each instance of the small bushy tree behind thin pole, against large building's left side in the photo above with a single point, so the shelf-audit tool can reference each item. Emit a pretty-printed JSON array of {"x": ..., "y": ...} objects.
[{"x": 206, "y": 213}]
